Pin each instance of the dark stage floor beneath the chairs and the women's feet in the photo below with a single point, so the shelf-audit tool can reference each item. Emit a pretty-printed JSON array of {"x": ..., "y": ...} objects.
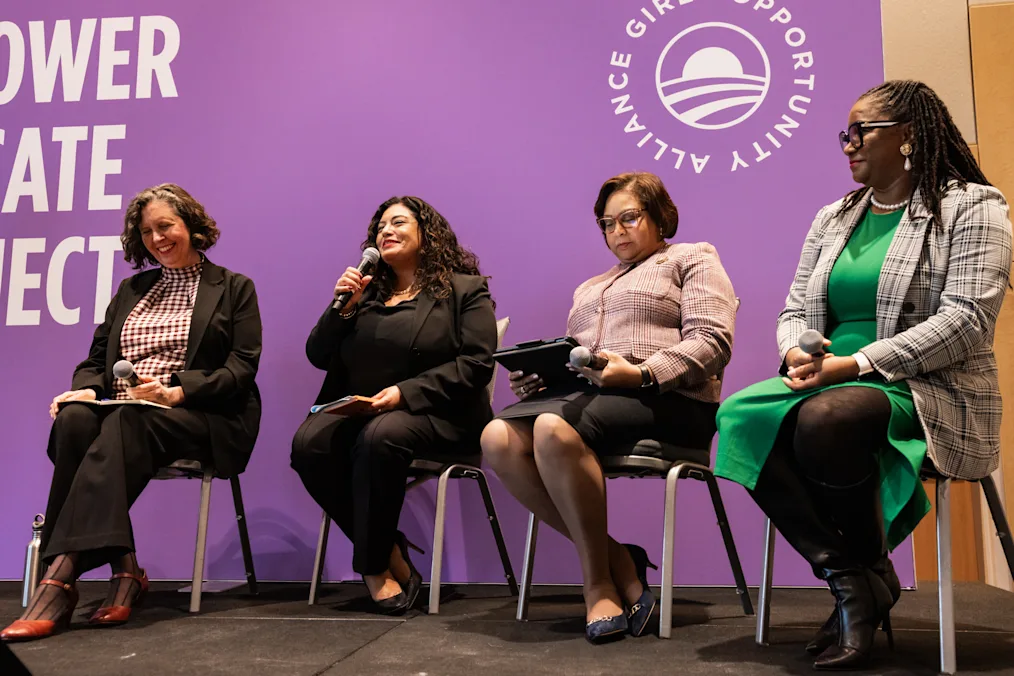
[{"x": 276, "y": 633}]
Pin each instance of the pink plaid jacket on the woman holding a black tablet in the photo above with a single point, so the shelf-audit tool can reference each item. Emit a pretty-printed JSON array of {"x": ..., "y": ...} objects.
[{"x": 675, "y": 313}]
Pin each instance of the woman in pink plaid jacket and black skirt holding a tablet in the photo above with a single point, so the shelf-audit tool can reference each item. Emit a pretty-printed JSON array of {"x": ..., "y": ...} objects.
[{"x": 664, "y": 318}]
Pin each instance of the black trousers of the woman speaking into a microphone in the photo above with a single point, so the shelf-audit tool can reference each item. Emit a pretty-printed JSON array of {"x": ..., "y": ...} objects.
[{"x": 356, "y": 470}]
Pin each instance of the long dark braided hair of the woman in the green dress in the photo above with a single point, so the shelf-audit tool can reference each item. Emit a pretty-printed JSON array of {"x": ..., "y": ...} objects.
[{"x": 939, "y": 156}]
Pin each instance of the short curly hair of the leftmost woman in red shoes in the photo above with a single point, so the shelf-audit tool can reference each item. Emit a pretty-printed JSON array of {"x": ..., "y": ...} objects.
[{"x": 202, "y": 228}]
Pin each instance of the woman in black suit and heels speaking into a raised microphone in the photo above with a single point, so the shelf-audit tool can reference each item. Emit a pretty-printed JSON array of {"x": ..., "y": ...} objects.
[{"x": 419, "y": 337}]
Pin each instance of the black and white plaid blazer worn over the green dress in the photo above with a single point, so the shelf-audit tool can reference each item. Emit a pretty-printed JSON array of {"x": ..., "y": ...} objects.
[{"x": 938, "y": 298}]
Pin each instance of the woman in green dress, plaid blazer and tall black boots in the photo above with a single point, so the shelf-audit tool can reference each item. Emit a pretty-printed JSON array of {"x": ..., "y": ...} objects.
[{"x": 905, "y": 277}]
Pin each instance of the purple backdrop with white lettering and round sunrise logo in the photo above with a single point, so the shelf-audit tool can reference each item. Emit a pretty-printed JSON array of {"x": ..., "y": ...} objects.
[{"x": 294, "y": 121}]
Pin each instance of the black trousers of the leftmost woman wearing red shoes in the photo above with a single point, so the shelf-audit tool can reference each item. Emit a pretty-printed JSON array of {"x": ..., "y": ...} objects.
[{"x": 103, "y": 460}]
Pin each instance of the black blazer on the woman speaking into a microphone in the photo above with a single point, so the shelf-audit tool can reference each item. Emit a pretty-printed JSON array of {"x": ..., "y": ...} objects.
[{"x": 451, "y": 360}]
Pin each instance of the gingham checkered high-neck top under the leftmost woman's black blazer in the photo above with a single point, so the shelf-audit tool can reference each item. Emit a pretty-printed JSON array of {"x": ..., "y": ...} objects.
[{"x": 156, "y": 333}]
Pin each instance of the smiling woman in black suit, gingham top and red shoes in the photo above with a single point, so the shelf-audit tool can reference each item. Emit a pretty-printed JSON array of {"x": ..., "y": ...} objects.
[{"x": 192, "y": 331}]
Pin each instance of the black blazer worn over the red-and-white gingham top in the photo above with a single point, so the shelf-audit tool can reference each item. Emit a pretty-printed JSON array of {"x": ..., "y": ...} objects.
[{"x": 223, "y": 355}]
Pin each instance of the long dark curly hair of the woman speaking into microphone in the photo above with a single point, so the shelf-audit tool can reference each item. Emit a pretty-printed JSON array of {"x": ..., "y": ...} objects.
[{"x": 441, "y": 256}]
